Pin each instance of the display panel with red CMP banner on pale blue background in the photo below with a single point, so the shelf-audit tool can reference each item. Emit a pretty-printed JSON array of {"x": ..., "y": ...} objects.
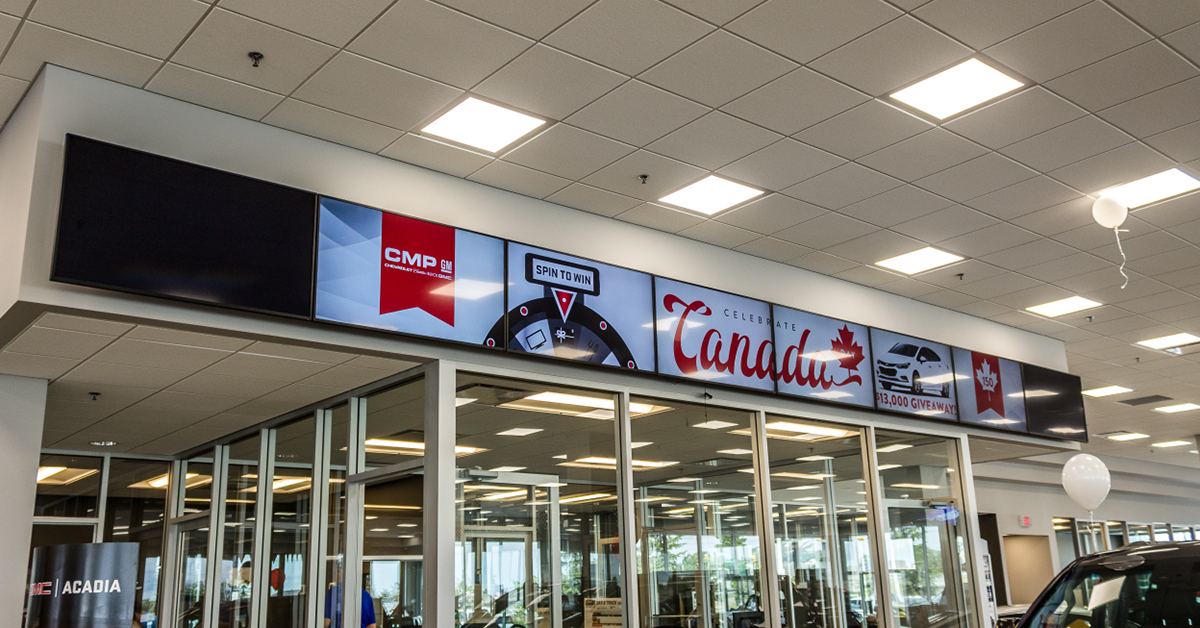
[{"x": 389, "y": 272}]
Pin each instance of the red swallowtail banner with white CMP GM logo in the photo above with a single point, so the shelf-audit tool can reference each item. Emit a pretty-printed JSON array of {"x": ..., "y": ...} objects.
[{"x": 417, "y": 267}]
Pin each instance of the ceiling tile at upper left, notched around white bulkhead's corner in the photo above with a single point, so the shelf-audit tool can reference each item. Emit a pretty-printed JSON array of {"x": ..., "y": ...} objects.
[{"x": 38, "y": 45}]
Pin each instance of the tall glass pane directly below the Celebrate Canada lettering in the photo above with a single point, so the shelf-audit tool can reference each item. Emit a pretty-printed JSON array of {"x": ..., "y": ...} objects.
[{"x": 695, "y": 504}]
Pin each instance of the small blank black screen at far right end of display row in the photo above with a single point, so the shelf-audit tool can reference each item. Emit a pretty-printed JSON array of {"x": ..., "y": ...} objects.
[{"x": 1054, "y": 404}]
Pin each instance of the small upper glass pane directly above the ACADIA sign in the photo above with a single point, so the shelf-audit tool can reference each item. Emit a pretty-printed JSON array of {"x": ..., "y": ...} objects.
[{"x": 68, "y": 486}]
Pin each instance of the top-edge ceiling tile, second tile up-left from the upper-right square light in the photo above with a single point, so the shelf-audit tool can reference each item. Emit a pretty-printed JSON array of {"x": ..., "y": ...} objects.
[{"x": 805, "y": 32}]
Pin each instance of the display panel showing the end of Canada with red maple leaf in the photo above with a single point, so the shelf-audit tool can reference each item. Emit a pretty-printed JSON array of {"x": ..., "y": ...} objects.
[{"x": 823, "y": 358}]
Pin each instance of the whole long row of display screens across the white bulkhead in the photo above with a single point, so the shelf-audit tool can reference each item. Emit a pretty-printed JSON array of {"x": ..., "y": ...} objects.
[{"x": 392, "y": 273}]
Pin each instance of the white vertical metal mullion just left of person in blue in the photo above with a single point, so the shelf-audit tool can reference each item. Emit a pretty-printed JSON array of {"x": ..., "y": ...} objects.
[{"x": 319, "y": 519}]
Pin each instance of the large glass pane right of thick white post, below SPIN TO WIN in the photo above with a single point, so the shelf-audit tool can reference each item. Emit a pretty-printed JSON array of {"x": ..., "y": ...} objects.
[{"x": 537, "y": 541}]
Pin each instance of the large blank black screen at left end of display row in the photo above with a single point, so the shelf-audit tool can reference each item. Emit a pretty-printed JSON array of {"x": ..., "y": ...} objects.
[{"x": 151, "y": 225}]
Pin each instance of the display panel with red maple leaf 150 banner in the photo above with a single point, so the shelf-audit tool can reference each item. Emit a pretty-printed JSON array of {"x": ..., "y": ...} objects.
[{"x": 991, "y": 391}]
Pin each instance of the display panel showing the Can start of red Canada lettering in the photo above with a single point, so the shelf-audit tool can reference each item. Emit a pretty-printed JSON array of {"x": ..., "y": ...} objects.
[{"x": 712, "y": 336}]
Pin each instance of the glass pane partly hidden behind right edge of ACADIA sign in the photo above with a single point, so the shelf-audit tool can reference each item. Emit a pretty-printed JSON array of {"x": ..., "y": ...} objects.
[{"x": 135, "y": 513}]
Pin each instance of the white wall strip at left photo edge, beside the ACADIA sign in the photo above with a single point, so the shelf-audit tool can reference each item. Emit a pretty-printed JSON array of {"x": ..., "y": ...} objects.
[{"x": 22, "y": 412}]
